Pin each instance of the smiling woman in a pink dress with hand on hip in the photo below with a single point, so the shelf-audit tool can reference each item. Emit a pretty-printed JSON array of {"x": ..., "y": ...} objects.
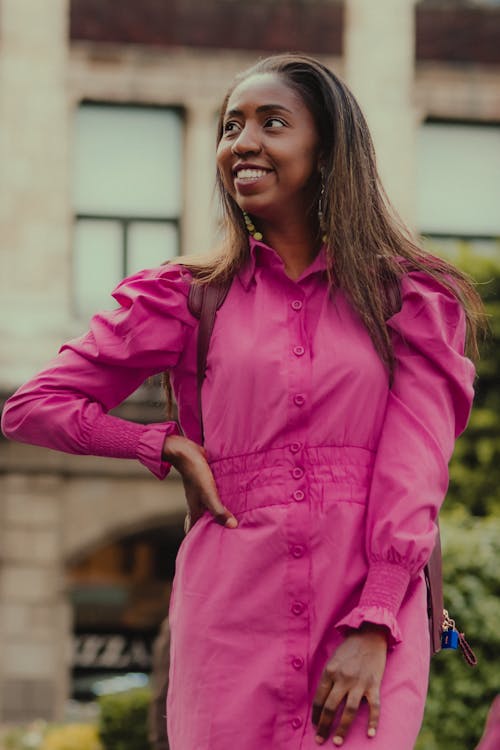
[{"x": 336, "y": 385}]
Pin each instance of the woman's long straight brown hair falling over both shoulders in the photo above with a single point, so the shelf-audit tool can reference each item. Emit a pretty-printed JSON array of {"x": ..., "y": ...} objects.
[{"x": 363, "y": 232}]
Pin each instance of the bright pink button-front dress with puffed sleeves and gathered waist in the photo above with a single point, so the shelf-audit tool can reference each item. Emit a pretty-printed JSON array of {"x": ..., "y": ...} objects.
[{"x": 335, "y": 479}]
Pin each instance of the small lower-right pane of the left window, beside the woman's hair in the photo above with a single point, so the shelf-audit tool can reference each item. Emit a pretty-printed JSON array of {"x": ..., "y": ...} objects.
[{"x": 150, "y": 244}]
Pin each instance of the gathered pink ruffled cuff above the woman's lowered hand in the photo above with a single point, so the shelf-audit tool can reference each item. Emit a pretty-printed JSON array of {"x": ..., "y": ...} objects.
[{"x": 381, "y": 599}]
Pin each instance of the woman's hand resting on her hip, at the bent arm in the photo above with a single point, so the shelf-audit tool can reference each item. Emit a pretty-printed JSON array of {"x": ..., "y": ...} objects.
[{"x": 190, "y": 460}]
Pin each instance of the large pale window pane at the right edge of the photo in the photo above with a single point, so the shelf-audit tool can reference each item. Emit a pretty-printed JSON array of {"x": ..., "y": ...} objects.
[{"x": 459, "y": 179}]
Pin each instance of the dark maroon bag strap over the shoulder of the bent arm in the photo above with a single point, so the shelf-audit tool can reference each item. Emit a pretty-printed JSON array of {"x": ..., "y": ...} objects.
[{"x": 203, "y": 301}]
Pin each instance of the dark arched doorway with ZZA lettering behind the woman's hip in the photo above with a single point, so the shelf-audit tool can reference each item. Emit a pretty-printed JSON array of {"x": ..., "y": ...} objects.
[{"x": 119, "y": 592}]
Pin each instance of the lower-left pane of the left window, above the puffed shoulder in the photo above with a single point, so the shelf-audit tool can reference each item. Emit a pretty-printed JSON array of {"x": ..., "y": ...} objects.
[{"x": 98, "y": 264}]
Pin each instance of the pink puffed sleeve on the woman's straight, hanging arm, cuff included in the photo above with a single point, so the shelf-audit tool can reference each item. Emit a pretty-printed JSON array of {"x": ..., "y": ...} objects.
[{"x": 427, "y": 409}]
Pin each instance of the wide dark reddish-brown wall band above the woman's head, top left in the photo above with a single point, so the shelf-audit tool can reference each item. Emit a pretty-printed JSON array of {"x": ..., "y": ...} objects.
[{"x": 268, "y": 25}]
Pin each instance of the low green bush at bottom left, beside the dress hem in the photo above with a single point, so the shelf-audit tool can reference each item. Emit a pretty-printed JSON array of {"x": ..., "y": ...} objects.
[{"x": 123, "y": 720}]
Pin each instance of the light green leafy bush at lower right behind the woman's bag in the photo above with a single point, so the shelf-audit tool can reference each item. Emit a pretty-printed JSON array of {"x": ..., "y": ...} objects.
[{"x": 459, "y": 696}]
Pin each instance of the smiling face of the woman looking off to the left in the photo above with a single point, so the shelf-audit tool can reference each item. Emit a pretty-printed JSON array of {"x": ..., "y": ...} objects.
[{"x": 268, "y": 154}]
